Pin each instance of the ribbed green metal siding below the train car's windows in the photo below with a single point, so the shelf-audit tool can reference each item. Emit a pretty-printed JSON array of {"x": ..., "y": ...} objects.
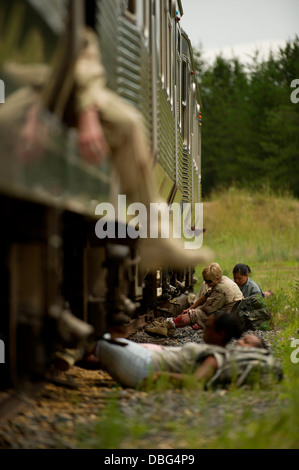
[{"x": 128, "y": 65}]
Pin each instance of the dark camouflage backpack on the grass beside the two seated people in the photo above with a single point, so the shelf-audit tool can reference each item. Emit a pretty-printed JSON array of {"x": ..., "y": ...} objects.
[{"x": 252, "y": 311}]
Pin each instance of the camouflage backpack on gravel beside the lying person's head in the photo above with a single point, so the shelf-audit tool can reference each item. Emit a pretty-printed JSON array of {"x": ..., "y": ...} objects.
[{"x": 247, "y": 366}]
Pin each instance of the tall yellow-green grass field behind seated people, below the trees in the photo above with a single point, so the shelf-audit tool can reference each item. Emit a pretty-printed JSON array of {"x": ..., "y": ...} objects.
[{"x": 256, "y": 228}]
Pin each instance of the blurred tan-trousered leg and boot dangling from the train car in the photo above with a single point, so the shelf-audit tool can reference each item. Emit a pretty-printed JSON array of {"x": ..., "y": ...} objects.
[{"x": 126, "y": 137}]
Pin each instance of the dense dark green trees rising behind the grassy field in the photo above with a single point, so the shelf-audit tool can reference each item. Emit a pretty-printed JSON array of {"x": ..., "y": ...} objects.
[{"x": 250, "y": 120}]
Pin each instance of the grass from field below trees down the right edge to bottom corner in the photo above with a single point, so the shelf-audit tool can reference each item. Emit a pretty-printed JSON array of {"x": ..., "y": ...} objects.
[{"x": 262, "y": 230}]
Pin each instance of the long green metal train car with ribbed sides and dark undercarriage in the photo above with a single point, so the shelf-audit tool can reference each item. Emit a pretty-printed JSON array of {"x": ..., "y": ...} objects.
[{"x": 51, "y": 260}]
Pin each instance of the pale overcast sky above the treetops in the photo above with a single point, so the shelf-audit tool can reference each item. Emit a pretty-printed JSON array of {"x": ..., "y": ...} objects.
[{"x": 239, "y": 27}]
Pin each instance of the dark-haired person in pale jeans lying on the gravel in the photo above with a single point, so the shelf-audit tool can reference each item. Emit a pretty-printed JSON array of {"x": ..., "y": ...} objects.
[{"x": 131, "y": 364}]
